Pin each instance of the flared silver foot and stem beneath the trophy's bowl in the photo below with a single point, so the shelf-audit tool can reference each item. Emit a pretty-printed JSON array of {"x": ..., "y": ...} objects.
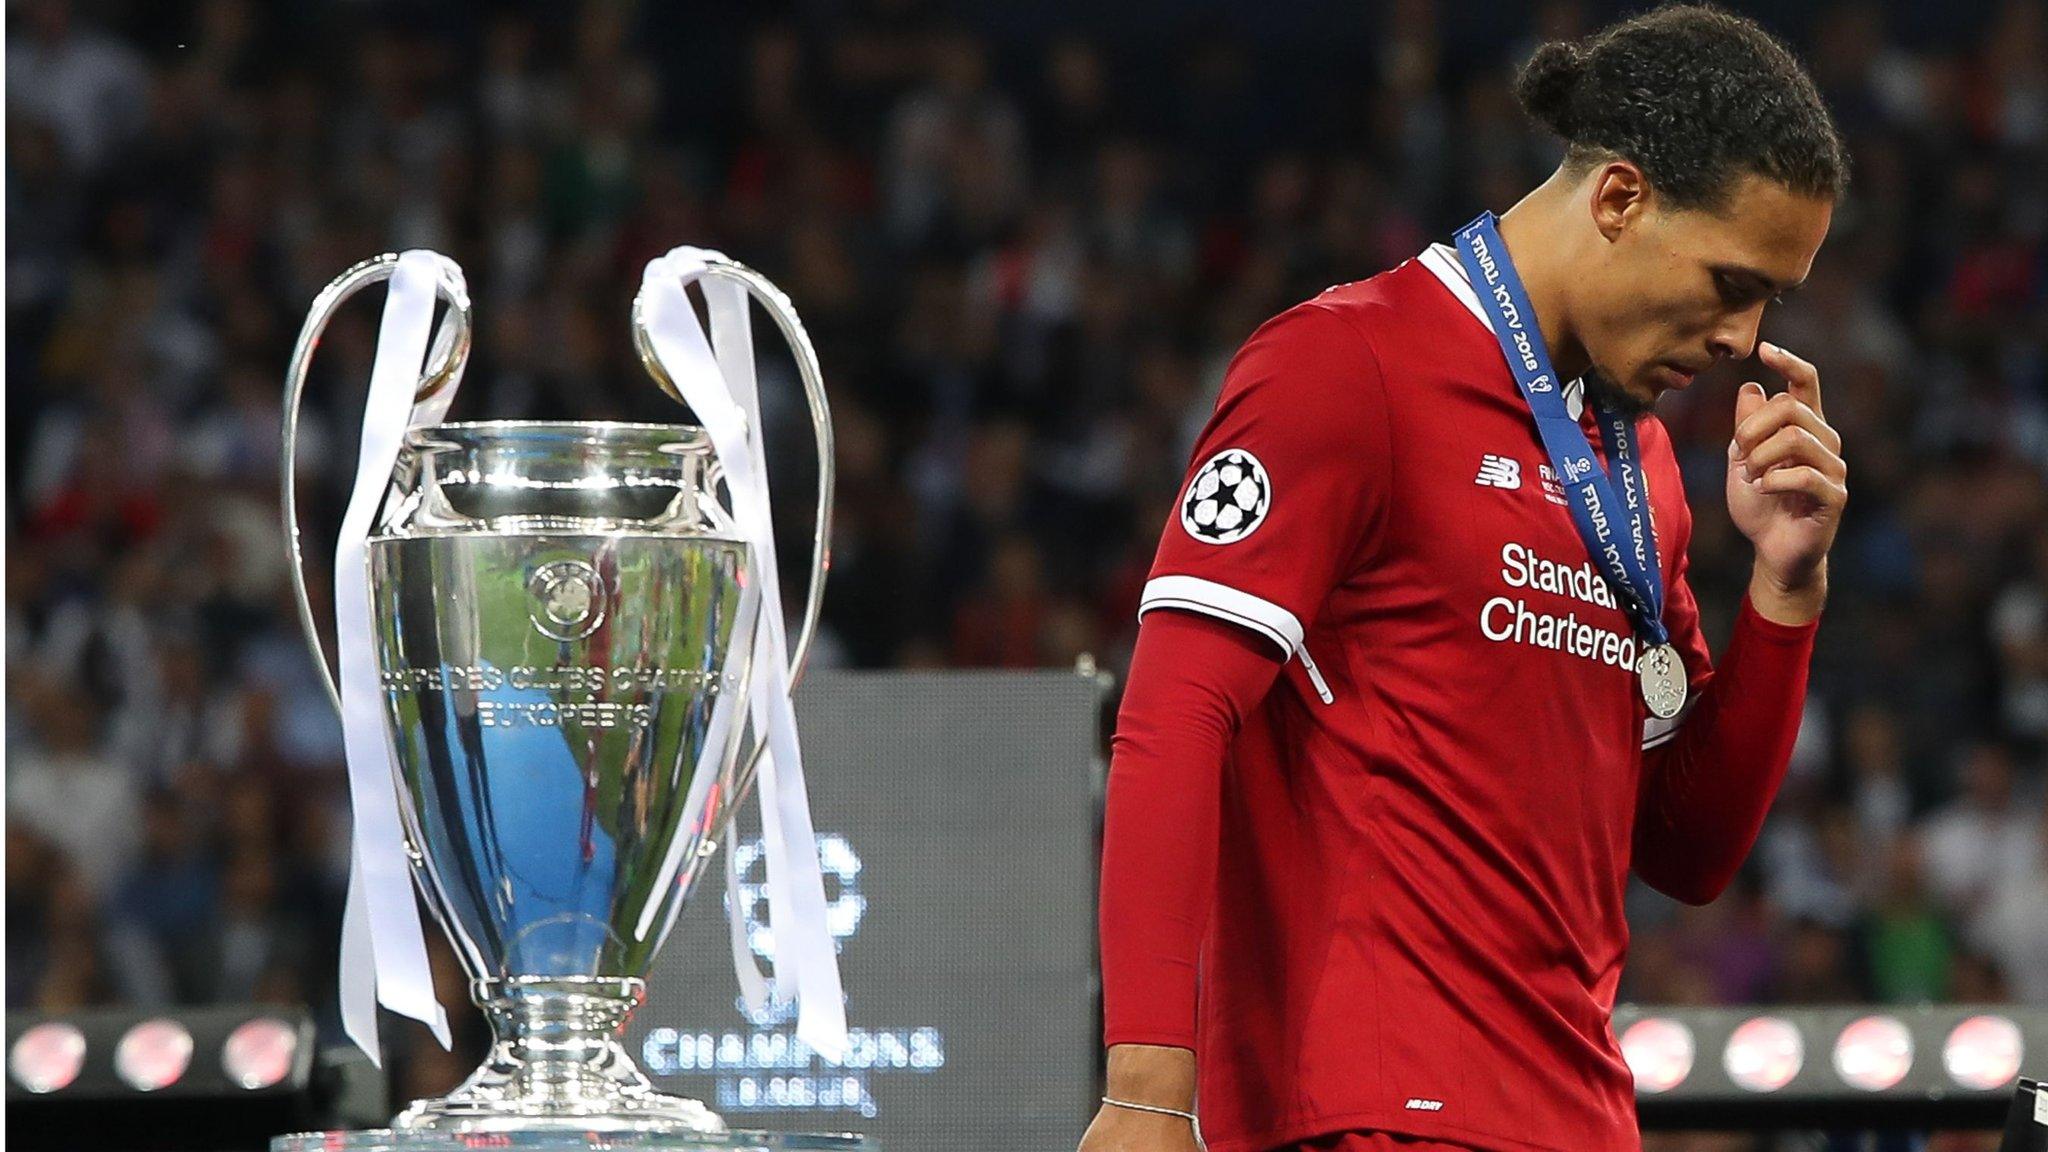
[{"x": 556, "y": 1063}]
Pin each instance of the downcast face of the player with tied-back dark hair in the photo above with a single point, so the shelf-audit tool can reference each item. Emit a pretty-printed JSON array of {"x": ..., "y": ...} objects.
[{"x": 1678, "y": 290}]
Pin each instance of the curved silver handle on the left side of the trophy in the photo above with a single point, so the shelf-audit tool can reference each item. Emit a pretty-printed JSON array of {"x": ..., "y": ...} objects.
[{"x": 443, "y": 370}]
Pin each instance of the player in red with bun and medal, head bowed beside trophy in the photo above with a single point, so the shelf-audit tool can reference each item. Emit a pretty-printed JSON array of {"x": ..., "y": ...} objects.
[{"x": 1435, "y": 682}]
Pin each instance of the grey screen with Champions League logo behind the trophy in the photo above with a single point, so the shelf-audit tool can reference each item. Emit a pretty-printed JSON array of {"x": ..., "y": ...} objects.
[{"x": 955, "y": 817}]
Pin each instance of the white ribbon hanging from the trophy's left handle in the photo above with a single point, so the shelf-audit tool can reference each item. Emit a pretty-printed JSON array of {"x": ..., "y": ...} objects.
[{"x": 384, "y": 948}]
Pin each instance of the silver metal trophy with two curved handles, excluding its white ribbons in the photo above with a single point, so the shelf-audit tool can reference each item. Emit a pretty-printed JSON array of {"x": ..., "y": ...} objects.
[{"x": 554, "y": 614}]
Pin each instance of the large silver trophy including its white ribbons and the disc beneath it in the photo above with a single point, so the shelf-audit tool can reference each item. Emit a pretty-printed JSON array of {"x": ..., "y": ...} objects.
[{"x": 556, "y": 641}]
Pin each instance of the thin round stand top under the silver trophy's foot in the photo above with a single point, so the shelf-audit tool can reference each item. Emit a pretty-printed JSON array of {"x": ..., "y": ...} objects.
[{"x": 407, "y": 1141}]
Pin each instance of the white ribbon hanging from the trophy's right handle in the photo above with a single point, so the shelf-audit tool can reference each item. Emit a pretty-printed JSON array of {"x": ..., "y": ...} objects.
[{"x": 716, "y": 378}]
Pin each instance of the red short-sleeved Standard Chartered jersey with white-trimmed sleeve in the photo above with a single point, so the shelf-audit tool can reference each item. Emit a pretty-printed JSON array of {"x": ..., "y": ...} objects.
[{"x": 1426, "y": 827}]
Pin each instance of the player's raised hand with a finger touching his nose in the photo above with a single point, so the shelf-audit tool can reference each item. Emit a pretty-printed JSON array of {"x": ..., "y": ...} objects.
[{"x": 1787, "y": 489}]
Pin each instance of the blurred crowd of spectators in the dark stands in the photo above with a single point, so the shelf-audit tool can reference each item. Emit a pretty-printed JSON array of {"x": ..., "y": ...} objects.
[{"x": 1027, "y": 257}]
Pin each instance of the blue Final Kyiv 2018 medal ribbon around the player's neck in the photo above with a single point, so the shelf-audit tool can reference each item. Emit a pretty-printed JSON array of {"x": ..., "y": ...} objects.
[{"x": 1631, "y": 567}]
